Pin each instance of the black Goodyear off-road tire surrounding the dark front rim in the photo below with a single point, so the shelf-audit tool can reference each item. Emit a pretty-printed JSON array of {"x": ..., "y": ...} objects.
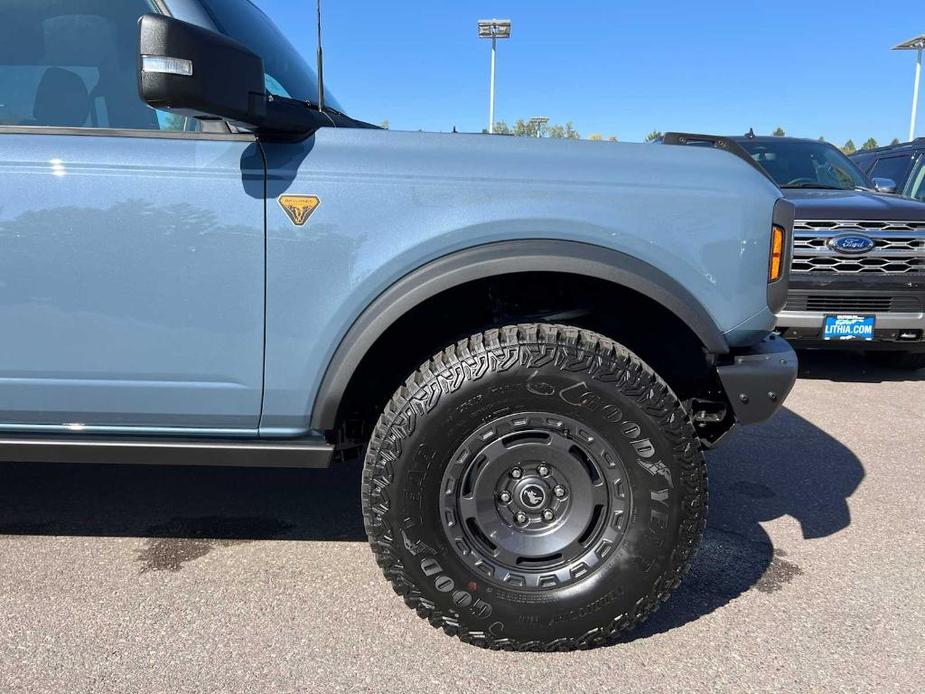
[{"x": 583, "y": 378}]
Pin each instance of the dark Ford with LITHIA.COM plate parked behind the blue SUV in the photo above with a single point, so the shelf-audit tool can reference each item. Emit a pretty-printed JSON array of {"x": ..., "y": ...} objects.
[{"x": 858, "y": 274}]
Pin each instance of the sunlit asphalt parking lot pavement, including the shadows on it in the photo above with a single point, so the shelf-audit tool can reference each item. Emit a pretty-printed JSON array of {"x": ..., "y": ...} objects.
[{"x": 135, "y": 579}]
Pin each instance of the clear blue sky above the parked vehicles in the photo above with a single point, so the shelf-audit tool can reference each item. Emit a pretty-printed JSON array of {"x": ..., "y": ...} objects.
[{"x": 621, "y": 67}]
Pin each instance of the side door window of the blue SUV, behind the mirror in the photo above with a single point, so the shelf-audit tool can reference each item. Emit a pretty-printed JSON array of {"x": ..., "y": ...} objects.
[{"x": 71, "y": 63}]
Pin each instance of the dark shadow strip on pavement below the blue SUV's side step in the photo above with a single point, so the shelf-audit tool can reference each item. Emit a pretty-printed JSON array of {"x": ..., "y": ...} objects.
[{"x": 236, "y": 504}]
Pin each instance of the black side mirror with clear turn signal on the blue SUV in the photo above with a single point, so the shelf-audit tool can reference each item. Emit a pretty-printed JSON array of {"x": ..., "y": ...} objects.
[{"x": 194, "y": 72}]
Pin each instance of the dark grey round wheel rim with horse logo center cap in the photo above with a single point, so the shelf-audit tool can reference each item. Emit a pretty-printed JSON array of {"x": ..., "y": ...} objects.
[{"x": 535, "y": 500}]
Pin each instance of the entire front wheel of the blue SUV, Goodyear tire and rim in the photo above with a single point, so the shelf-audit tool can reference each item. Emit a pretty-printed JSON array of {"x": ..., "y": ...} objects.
[{"x": 535, "y": 487}]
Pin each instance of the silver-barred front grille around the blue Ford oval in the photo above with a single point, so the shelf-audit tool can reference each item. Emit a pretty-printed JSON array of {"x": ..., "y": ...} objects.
[{"x": 899, "y": 247}]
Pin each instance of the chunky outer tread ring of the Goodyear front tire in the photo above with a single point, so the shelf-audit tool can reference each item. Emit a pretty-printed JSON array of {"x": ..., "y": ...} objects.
[{"x": 635, "y": 380}]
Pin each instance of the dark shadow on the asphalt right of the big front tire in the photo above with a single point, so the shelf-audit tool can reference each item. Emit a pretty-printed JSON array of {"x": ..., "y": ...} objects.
[{"x": 786, "y": 467}]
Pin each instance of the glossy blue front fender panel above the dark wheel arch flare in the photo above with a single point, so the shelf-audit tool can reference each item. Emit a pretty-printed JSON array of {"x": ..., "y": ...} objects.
[{"x": 393, "y": 201}]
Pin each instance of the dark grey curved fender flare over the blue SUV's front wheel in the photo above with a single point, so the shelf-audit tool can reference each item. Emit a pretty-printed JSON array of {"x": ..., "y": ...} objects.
[{"x": 502, "y": 258}]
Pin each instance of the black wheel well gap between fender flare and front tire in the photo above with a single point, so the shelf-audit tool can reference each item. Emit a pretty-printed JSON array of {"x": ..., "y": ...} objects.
[{"x": 643, "y": 325}]
